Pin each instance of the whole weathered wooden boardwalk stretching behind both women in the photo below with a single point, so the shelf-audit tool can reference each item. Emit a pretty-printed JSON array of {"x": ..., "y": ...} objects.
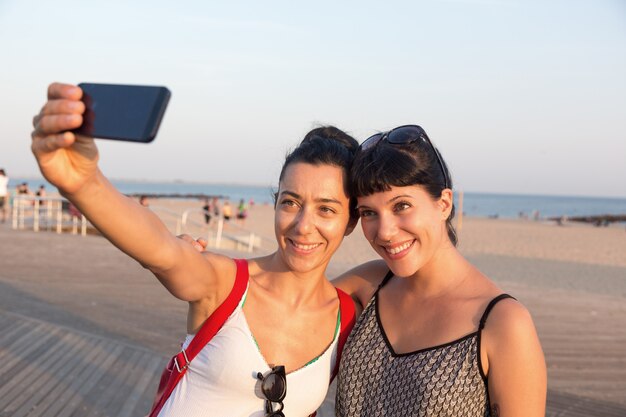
[{"x": 85, "y": 331}]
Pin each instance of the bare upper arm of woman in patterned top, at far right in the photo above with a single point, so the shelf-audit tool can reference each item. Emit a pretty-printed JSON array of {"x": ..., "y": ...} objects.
[{"x": 515, "y": 363}]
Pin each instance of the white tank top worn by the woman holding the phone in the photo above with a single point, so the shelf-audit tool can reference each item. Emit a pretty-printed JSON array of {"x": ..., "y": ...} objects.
[{"x": 222, "y": 380}]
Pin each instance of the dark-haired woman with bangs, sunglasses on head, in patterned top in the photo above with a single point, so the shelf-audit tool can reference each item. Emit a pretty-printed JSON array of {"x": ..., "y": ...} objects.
[{"x": 436, "y": 337}]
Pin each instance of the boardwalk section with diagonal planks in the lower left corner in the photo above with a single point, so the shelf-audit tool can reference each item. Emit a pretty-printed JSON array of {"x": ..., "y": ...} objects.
[{"x": 54, "y": 371}]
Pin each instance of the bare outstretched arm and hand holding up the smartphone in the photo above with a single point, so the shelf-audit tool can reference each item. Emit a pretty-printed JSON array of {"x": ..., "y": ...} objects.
[{"x": 70, "y": 162}]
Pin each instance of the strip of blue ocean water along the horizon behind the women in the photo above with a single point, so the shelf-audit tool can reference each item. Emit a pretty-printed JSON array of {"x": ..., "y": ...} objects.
[{"x": 474, "y": 204}]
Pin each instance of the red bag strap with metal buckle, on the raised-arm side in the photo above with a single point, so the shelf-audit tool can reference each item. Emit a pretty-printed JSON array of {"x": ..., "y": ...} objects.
[{"x": 178, "y": 365}]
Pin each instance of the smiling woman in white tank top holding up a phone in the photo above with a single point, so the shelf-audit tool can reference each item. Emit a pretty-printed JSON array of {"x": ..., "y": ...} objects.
[{"x": 275, "y": 354}]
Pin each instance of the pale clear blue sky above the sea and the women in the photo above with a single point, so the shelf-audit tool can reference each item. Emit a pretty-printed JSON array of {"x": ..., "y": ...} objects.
[{"x": 521, "y": 96}]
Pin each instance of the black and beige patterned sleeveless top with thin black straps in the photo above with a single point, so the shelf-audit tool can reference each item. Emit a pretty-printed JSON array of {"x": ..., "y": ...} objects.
[{"x": 445, "y": 380}]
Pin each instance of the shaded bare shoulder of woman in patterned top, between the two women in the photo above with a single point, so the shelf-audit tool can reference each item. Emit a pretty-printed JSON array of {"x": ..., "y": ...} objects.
[{"x": 362, "y": 281}]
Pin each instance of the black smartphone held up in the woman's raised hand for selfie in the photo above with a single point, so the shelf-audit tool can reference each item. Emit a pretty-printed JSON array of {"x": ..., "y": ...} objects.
[{"x": 123, "y": 112}]
